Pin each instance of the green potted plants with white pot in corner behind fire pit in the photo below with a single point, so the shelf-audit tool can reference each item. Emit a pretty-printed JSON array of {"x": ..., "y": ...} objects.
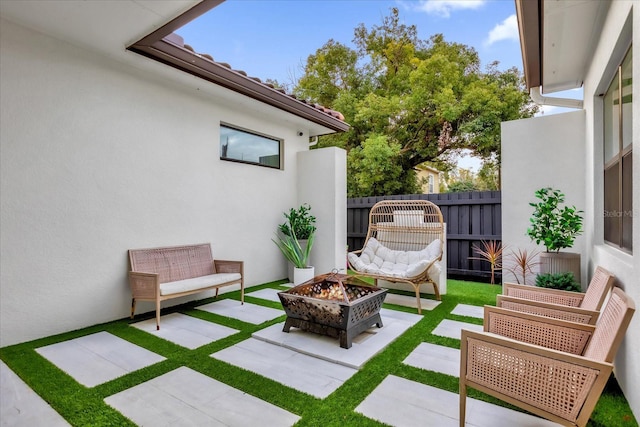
[{"x": 295, "y": 239}]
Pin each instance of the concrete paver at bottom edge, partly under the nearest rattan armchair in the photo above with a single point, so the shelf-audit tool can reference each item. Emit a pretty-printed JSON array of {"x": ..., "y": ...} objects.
[{"x": 404, "y": 403}]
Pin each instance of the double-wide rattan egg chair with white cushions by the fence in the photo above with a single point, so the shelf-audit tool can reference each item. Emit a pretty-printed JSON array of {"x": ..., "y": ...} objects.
[{"x": 403, "y": 244}]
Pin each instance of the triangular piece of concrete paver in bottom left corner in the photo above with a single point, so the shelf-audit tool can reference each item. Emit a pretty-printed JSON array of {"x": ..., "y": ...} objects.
[{"x": 20, "y": 406}]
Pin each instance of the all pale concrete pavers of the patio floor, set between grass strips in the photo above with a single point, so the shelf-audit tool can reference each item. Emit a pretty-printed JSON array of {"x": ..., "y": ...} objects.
[{"x": 306, "y": 362}]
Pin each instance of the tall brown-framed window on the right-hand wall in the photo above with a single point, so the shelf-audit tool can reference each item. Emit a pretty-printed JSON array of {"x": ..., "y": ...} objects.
[{"x": 618, "y": 163}]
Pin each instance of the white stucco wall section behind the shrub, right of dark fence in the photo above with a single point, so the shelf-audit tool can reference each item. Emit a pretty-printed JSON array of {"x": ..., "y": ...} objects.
[{"x": 546, "y": 151}]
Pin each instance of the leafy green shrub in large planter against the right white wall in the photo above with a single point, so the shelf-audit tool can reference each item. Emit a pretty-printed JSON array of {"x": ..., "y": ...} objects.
[{"x": 556, "y": 227}]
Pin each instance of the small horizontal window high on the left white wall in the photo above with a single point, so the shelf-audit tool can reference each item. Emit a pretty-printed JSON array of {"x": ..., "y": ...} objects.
[{"x": 247, "y": 147}]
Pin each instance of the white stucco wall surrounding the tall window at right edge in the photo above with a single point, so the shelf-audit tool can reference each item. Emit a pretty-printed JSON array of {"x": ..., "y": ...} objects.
[{"x": 621, "y": 28}]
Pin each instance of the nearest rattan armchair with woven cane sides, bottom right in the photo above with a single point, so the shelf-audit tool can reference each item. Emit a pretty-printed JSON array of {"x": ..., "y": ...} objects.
[{"x": 562, "y": 386}]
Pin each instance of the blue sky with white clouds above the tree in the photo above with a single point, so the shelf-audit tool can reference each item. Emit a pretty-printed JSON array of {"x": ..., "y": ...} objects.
[{"x": 273, "y": 38}]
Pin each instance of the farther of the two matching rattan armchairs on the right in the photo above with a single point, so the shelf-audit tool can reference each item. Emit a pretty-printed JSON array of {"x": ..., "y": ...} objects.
[{"x": 573, "y": 306}]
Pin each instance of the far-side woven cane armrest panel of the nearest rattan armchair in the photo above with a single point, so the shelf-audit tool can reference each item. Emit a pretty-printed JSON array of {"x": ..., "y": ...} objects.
[{"x": 570, "y": 337}]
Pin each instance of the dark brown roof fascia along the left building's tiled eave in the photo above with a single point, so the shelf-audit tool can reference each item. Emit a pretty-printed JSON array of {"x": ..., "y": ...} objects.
[{"x": 156, "y": 47}]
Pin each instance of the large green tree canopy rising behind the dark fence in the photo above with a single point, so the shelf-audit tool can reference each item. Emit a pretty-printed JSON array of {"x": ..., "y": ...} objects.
[{"x": 409, "y": 101}]
